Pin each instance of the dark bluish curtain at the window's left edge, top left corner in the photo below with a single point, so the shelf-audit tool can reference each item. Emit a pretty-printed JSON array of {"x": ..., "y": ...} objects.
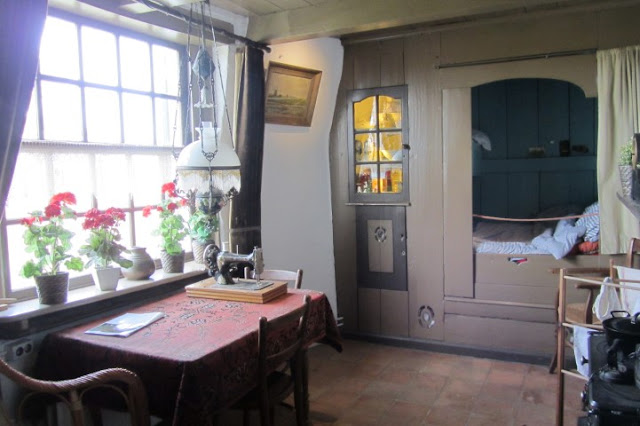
[{"x": 21, "y": 24}]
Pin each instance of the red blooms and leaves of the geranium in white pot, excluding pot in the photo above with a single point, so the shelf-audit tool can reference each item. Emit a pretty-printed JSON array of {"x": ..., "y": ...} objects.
[{"x": 103, "y": 245}]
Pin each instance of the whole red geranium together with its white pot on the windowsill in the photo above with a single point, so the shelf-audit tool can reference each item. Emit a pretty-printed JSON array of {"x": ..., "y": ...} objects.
[{"x": 103, "y": 248}]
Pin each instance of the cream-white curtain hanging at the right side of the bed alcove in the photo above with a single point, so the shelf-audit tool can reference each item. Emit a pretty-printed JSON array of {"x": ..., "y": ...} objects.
[{"x": 618, "y": 119}]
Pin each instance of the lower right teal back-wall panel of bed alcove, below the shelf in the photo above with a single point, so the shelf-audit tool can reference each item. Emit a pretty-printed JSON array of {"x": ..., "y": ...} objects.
[{"x": 575, "y": 187}]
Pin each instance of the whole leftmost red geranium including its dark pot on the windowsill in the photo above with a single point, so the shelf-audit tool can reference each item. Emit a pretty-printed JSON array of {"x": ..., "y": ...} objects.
[{"x": 47, "y": 240}]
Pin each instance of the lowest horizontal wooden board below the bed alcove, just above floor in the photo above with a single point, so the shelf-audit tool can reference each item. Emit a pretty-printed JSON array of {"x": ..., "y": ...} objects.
[{"x": 530, "y": 337}]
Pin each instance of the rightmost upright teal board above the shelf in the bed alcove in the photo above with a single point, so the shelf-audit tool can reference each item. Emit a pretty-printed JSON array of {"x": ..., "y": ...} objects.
[{"x": 582, "y": 122}]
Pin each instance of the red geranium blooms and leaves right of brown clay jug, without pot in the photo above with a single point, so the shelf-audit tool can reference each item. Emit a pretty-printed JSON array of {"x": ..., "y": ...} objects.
[{"x": 172, "y": 228}]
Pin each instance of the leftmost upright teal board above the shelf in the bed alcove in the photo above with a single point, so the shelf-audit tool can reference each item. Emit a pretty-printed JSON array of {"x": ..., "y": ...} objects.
[{"x": 492, "y": 117}]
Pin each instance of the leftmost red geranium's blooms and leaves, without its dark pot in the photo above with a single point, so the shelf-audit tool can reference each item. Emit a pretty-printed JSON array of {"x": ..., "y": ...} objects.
[{"x": 47, "y": 239}]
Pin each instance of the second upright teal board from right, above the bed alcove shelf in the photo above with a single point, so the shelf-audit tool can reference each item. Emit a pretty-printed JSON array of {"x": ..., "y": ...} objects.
[{"x": 553, "y": 114}]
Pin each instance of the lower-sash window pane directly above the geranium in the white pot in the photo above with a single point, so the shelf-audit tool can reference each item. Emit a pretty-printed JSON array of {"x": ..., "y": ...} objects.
[{"x": 112, "y": 180}]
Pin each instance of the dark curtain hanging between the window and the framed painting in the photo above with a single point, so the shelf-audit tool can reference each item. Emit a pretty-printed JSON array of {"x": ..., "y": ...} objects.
[{"x": 245, "y": 230}]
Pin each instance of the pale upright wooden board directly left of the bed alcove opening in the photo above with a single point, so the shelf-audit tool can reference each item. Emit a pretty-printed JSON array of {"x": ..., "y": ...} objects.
[{"x": 456, "y": 133}]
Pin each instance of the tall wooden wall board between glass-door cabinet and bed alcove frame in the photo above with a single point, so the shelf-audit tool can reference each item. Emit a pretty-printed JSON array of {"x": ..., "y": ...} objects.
[{"x": 425, "y": 216}]
